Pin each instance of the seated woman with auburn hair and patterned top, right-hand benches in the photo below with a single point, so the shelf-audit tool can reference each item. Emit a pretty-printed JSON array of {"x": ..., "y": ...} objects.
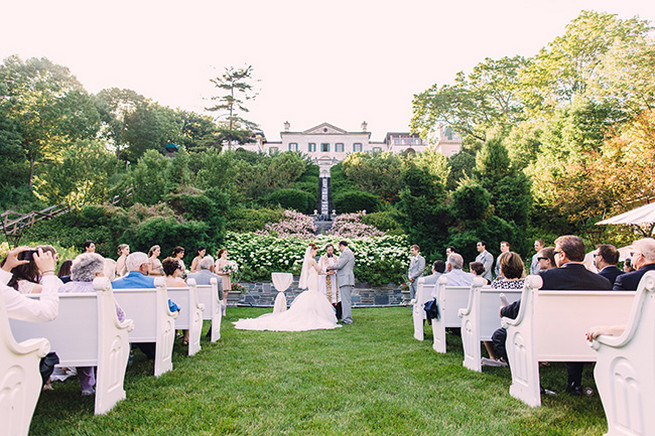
[{"x": 511, "y": 267}]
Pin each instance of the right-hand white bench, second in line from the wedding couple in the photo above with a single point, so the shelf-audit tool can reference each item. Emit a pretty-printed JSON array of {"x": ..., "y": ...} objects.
[{"x": 450, "y": 299}]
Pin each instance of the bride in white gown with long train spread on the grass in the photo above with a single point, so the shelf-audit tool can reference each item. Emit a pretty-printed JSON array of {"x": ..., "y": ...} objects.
[{"x": 309, "y": 311}]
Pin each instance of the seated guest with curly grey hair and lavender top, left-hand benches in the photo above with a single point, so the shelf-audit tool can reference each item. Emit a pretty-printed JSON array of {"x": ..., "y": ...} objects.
[{"x": 85, "y": 268}]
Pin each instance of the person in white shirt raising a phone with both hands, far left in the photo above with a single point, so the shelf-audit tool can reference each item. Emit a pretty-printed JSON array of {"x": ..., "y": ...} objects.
[{"x": 17, "y": 305}]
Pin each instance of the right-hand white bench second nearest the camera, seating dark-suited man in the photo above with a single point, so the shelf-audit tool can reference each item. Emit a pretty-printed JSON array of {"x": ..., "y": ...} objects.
[{"x": 551, "y": 327}]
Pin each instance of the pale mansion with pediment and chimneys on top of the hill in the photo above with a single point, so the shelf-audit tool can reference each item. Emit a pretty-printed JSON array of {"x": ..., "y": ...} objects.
[{"x": 327, "y": 145}]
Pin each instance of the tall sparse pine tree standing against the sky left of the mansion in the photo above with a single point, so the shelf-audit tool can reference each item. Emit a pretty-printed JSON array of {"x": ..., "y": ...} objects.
[{"x": 236, "y": 86}]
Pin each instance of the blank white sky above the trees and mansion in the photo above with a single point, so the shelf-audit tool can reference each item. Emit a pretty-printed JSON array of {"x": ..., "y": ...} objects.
[{"x": 340, "y": 61}]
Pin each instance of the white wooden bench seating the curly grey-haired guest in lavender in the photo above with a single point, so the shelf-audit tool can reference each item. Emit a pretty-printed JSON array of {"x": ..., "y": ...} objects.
[{"x": 87, "y": 332}]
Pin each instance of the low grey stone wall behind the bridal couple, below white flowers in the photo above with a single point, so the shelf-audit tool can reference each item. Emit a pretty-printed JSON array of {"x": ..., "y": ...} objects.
[{"x": 262, "y": 294}]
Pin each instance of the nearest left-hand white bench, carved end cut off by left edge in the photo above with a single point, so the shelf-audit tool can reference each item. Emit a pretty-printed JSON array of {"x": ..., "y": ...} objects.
[{"x": 20, "y": 379}]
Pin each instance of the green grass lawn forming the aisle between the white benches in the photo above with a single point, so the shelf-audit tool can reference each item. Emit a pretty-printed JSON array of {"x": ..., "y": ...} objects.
[{"x": 371, "y": 377}]
